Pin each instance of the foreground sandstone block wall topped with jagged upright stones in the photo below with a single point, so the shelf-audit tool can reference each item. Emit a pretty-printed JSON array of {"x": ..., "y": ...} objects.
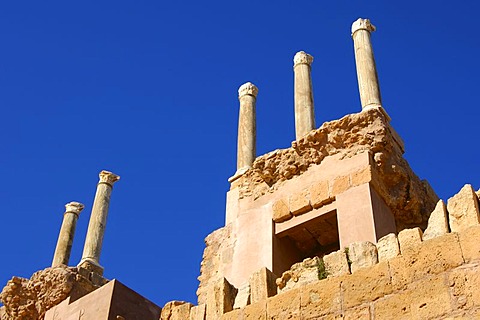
[{"x": 412, "y": 275}]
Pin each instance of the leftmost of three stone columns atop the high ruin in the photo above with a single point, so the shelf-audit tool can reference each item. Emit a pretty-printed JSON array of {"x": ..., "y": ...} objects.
[{"x": 247, "y": 132}]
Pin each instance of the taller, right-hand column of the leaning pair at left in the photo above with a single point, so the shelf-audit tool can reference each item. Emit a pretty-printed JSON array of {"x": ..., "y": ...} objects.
[{"x": 98, "y": 220}]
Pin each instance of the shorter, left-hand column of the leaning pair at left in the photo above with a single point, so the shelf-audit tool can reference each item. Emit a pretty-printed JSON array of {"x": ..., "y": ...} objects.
[{"x": 67, "y": 232}]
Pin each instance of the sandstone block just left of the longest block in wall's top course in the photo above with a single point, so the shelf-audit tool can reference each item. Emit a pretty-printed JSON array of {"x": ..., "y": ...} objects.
[{"x": 366, "y": 285}]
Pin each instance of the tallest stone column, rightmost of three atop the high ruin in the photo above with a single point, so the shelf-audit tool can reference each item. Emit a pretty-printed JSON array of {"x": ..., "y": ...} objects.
[{"x": 365, "y": 61}]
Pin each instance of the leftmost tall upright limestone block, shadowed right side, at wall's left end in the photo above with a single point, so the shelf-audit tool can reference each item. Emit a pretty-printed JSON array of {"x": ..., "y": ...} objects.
[{"x": 220, "y": 298}]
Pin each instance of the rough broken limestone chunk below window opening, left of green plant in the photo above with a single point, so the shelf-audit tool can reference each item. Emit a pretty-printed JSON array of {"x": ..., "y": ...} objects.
[{"x": 300, "y": 274}]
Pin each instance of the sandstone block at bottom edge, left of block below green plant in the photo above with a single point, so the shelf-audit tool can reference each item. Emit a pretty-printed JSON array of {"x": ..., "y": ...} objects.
[{"x": 285, "y": 305}]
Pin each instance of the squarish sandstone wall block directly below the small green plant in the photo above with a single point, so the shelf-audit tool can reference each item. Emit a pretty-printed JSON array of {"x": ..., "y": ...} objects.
[{"x": 320, "y": 298}]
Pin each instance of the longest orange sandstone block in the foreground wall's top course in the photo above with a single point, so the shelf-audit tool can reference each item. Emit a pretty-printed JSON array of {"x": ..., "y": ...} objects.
[{"x": 432, "y": 257}]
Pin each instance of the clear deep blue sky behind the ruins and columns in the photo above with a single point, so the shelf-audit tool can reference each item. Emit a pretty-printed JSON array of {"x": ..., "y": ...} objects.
[{"x": 148, "y": 90}]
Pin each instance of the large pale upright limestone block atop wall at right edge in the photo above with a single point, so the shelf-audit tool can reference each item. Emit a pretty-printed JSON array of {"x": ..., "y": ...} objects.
[{"x": 463, "y": 209}]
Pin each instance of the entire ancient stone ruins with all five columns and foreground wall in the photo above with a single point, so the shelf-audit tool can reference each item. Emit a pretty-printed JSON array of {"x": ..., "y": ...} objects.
[{"x": 336, "y": 226}]
